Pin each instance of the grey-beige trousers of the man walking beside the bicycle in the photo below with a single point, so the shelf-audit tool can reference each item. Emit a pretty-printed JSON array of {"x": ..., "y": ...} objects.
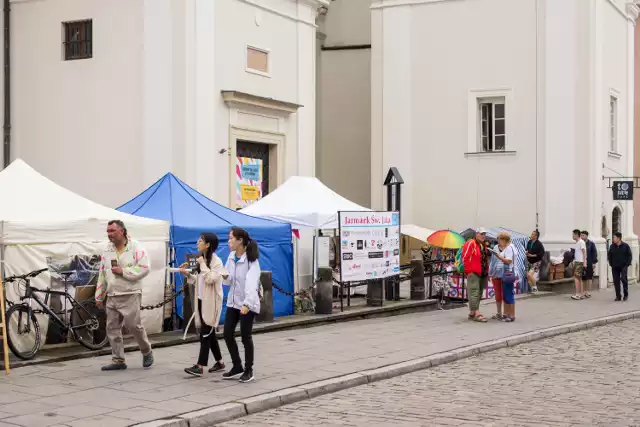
[{"x": 124, "y": 310}]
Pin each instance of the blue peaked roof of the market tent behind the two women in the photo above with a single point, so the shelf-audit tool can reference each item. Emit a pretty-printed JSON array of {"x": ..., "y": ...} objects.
[{"x": 191, "y": 213}]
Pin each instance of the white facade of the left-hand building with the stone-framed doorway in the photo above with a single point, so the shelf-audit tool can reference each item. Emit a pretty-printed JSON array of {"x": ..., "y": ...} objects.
[{"x": 107, "y": 96}]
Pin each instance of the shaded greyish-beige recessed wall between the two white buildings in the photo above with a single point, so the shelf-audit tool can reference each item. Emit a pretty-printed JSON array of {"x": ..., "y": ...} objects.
[{"x": 344, "y": 101}]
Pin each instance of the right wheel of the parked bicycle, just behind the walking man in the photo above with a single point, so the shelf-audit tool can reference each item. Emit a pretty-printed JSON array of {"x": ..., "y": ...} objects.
[{"x": 89, "y": 324}]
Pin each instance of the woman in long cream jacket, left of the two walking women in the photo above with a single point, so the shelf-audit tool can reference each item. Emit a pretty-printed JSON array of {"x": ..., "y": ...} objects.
[{"x": 207, "y": 282}]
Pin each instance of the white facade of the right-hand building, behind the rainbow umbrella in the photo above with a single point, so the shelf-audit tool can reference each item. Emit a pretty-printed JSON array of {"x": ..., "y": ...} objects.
[{"x": 506, "y": 113}]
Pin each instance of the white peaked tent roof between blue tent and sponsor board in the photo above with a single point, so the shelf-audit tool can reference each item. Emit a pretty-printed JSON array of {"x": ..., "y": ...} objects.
[{"x": 303, "y": 202}]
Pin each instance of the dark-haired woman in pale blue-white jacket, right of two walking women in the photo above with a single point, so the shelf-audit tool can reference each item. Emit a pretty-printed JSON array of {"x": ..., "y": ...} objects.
[{"x": 243, "y": 301}]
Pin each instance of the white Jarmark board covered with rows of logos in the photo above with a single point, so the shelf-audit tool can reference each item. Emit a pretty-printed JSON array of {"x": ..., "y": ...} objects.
[{"x": 370, "y": 245}]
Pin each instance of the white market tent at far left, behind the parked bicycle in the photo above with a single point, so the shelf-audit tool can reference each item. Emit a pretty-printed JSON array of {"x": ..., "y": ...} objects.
[{"x": 41, "y": 222}]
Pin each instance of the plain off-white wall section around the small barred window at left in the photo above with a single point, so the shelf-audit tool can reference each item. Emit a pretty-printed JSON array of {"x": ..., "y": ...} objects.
[{"x": 80, "y": 122}]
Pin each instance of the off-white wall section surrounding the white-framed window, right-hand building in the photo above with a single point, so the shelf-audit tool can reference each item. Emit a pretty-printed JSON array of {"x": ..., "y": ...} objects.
[{"x": 433, "y": 57}]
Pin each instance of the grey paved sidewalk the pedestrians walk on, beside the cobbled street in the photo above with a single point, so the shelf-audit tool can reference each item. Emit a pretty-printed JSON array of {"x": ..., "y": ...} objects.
[{"x": 77, "y": 393}]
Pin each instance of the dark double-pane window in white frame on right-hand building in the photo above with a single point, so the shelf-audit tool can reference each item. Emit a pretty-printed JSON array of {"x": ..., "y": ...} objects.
[{"x": 492, "y": 128}]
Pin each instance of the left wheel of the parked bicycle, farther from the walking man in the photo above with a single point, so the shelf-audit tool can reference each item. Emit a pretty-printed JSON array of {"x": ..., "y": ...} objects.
[{"x": 23, "y": 332}]
